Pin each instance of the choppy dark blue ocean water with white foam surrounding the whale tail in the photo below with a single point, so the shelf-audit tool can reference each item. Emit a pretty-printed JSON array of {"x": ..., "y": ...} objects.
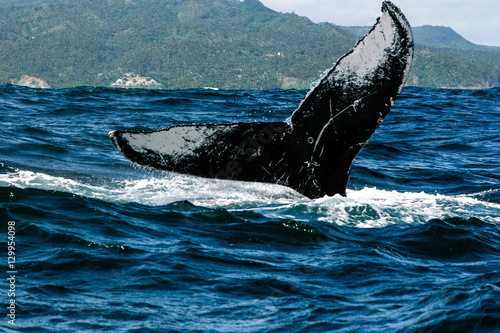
[{"x": 102, "y": 245}]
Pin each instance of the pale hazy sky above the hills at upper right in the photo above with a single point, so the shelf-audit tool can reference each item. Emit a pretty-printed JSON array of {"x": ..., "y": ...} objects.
[{"x": 476, "y": 20}]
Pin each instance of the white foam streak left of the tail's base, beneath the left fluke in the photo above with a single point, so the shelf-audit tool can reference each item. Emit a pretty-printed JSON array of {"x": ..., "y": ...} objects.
[{"x": 158, "y": 191}]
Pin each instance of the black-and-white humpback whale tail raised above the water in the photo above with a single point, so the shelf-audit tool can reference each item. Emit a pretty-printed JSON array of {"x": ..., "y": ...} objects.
[{"x": 313, "y": 150}]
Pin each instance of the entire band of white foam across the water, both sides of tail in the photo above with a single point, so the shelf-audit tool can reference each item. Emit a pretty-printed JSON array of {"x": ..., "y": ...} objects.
[{"x": 369, "y": 207}]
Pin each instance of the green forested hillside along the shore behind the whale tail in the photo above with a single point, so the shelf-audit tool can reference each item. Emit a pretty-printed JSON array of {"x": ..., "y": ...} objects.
[{"x": 227, "y": 44}]
